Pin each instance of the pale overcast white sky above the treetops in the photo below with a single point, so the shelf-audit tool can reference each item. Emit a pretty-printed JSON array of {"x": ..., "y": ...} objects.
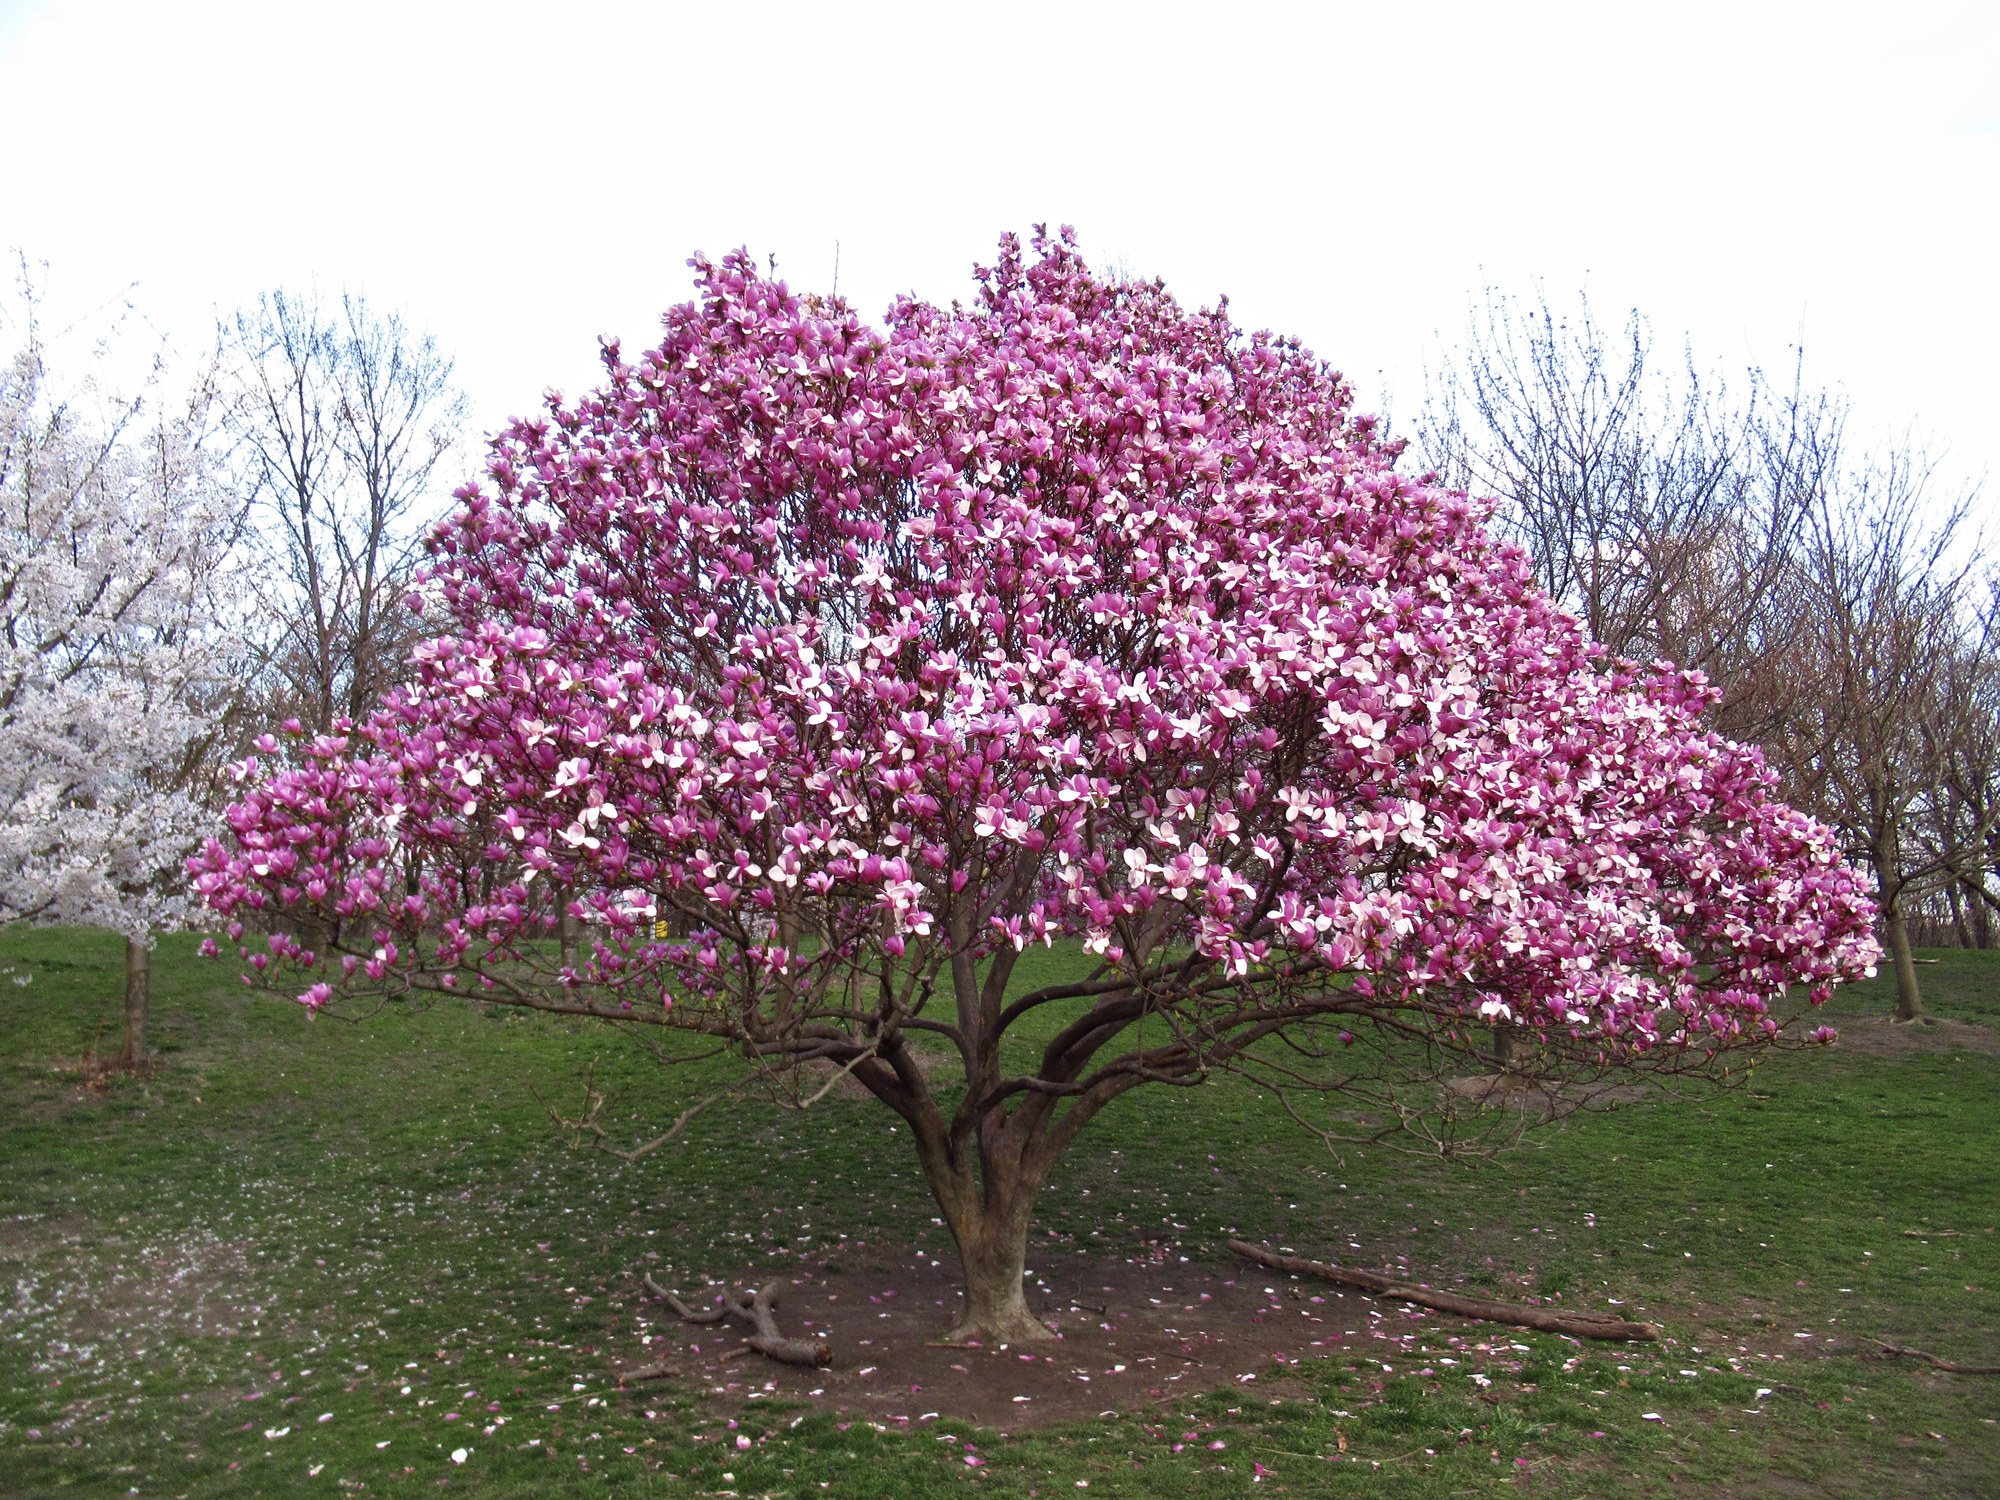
[{"x": 521, "y": 179}]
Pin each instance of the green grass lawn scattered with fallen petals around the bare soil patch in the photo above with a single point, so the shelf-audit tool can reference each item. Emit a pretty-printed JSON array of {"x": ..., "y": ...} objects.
[{"x": 287, "y": 1263}]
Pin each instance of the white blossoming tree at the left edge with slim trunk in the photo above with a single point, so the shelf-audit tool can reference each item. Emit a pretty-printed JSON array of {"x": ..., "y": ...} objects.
[{"x": 115, "y": 643}]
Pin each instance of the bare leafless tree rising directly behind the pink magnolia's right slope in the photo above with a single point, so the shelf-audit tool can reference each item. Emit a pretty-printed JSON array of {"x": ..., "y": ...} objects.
[{"x": 1655, "y": 507}]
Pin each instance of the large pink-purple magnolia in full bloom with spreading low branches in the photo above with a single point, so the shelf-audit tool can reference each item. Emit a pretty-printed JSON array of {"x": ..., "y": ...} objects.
[{"x": 823, "y": 669}]
